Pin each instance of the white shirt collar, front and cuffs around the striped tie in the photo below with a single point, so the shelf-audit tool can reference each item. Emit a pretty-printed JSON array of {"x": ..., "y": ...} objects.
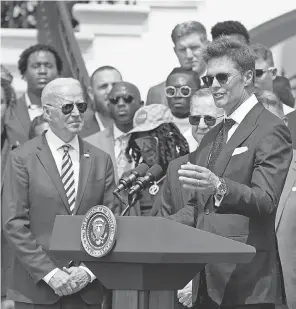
[{"x": 55, "y": 145}]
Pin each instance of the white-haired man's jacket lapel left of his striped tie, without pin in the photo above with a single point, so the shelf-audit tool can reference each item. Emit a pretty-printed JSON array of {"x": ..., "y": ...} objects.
[{"x": 49, "y": 164}]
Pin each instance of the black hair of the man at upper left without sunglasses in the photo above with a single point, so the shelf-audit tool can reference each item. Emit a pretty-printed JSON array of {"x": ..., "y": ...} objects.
[{"x": 23, "y": 61}]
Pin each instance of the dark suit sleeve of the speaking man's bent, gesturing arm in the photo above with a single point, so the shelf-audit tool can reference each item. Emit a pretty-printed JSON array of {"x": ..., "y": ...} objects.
[{"x": 271, "y": 165}]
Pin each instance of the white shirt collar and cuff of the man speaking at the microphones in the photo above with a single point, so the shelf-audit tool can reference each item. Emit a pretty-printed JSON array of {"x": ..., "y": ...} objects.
[{"x": 238, "y": 116}]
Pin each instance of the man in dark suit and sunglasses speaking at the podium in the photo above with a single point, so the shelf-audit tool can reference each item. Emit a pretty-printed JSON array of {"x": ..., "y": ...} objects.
[{"x": 236, "y": 180}]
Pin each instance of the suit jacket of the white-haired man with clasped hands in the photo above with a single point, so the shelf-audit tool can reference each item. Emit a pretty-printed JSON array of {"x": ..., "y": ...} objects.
[{"x": 33, "y": 195}]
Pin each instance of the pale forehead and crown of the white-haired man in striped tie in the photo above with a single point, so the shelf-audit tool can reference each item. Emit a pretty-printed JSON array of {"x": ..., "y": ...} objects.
[{"x": 60, "y": 87}]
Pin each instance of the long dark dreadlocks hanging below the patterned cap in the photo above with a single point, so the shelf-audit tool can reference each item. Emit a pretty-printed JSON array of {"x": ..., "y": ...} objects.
[{"x": 171, "y": 145}]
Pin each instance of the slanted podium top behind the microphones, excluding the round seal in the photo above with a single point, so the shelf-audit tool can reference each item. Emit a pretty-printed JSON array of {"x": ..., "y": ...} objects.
[{"x": 151, "y": 240}]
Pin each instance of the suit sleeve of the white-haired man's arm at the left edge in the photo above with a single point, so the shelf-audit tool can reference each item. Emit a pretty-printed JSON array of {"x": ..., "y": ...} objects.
[{"x": 16, "y": 220}]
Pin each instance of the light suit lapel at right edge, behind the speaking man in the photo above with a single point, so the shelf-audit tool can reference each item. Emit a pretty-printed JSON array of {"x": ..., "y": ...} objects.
[{"x": 290, "y": 182}]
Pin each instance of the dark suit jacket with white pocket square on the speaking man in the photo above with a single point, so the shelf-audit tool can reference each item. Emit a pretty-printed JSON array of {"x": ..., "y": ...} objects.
[{"x": 255, "y": 179}]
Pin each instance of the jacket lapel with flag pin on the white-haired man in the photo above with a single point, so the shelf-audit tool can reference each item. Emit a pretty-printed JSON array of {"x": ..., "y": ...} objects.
[{"x": 85, "y": 164}]
